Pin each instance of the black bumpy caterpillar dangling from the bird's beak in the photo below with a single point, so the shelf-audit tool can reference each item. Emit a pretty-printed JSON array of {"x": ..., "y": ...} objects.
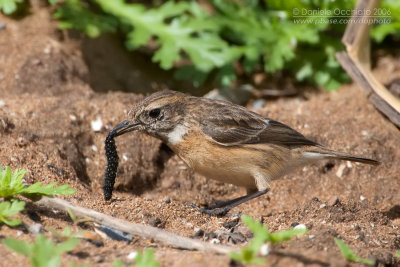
[{"x": 112, "y": 165}]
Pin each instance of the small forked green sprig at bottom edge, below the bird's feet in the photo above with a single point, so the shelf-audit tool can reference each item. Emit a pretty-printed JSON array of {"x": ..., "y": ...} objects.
[{"x": 262, "y": 235}]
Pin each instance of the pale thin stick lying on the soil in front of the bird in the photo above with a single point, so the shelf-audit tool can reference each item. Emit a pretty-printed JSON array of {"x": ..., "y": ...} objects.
[{"x": 144, "y": 231}]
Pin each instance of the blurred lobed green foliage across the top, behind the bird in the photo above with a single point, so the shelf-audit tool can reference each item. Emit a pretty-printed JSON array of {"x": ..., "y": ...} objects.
[{"x": 220, "y": 40}]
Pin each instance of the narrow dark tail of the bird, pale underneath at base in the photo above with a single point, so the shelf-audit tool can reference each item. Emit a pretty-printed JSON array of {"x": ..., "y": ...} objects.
[{"x": 323, "y": 153}]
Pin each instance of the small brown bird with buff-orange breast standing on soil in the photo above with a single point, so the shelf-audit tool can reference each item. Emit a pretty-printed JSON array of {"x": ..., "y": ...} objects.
[{"x": 226, "y": 142}]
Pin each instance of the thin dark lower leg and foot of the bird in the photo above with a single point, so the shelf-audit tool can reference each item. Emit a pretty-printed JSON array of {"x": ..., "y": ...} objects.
[{"x": 225, "y": 206}]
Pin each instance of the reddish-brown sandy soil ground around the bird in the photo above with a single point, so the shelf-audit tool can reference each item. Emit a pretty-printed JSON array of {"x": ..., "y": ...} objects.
[{"x": 47, "y": 105}]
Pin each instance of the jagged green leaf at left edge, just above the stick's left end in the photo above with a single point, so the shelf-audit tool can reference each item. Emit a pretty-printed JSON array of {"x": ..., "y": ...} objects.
[{"x": 11, "y": 184}]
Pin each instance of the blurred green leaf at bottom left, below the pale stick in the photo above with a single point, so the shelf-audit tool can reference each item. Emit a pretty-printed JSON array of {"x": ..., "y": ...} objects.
[{"x": 43, "y": 252}]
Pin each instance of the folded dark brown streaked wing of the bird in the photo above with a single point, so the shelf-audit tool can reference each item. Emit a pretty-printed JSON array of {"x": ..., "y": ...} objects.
[{"x": 230, "y": 127}]
